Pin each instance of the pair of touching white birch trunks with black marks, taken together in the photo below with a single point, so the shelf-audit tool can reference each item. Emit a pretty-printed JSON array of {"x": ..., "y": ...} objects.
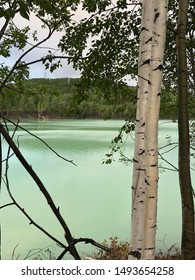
[{"x": 145, "y": 170}]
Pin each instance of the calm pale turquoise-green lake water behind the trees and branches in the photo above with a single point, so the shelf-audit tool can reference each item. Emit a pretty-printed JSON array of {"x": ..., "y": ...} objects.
[{"x": 94, "y": 198}]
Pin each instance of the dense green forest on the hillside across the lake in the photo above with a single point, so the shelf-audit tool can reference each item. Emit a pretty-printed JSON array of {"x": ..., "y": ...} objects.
[{"x": 67, "y": 98}]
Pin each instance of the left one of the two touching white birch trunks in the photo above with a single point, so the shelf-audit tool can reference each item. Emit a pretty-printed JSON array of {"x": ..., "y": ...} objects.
[{"x": 138, "y": 184}]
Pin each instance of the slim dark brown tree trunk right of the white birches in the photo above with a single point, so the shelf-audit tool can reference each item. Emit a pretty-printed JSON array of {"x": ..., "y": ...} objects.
[{"x": 188, "y": 231}]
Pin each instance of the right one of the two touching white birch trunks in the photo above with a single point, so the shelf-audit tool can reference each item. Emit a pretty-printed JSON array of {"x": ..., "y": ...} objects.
[{"x": 151, "y": 129}]
